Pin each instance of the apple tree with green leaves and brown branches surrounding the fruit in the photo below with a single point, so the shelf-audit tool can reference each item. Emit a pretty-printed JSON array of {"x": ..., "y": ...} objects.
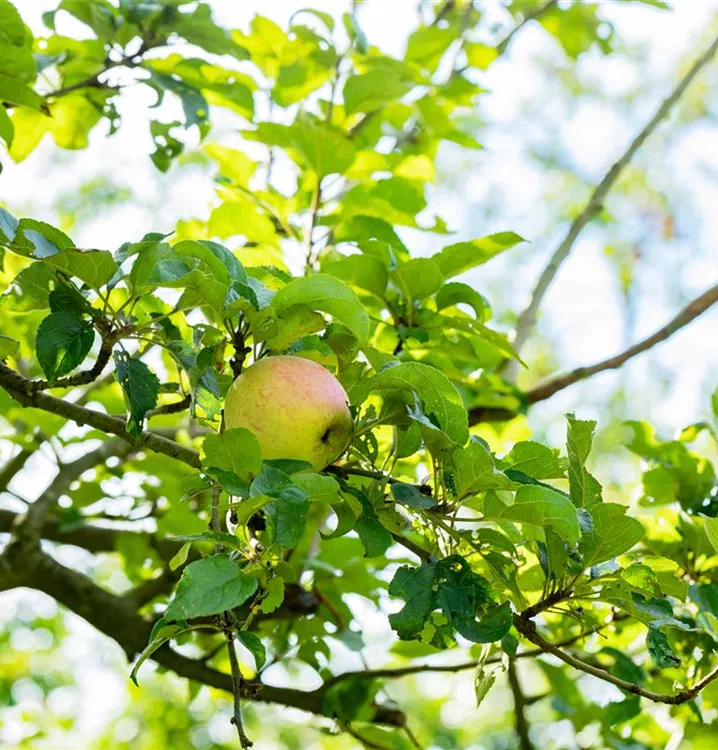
[{"x": 116, "y": 362}]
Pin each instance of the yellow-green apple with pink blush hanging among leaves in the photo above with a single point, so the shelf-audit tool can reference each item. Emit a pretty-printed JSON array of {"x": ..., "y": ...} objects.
[{"x": 295, "y": 408}]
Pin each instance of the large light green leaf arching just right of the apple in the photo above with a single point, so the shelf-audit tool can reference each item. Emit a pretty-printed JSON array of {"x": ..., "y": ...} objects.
[{"x": 440, "y": 399}]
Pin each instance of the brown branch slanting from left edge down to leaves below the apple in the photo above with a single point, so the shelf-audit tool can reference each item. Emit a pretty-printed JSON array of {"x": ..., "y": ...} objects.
[{"x": 21, "y": 390}]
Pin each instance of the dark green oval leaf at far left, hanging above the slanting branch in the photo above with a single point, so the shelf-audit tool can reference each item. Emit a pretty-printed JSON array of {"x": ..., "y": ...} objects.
[{"x": 62, "y": 342}]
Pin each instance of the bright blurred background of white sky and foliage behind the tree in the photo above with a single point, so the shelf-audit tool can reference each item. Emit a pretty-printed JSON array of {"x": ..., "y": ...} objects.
[{"x": 560, "y": 105}]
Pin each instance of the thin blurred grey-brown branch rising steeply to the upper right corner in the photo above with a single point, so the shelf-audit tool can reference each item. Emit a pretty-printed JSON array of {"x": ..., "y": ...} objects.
[{"x": 527, "y": 318}]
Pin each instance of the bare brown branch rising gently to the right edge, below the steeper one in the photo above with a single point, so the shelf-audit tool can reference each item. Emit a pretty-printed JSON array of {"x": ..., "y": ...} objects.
[{"x": 689, "y": 313}]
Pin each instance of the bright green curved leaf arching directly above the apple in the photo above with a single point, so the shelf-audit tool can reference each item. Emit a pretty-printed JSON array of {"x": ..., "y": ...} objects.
[{"x": 326, "y": 294}]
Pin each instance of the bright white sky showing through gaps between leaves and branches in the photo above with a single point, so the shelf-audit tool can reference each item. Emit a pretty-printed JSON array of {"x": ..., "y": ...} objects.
[{"x": 583, "y": 310}]
